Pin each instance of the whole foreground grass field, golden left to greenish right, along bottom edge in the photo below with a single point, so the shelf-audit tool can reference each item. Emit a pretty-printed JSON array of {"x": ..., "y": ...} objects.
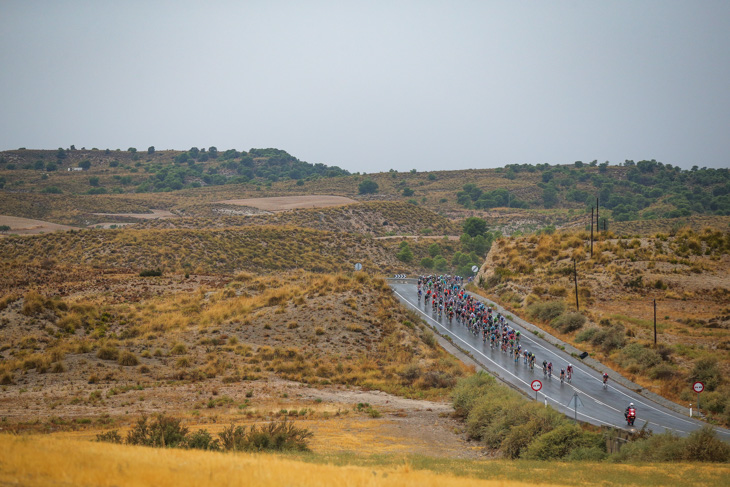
[{"x": 42, "y": 461}]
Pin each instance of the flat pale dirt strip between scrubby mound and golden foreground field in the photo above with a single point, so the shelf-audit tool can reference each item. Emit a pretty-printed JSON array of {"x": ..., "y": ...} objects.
[{"x": 405, "y": 426}]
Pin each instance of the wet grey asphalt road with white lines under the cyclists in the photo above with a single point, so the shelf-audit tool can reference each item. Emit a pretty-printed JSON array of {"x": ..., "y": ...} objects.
[{"x": 597, "y": 405}]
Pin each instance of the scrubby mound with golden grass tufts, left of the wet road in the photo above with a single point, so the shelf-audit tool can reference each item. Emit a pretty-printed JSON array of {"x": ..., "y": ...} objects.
[{"x": 81, "y": 355}]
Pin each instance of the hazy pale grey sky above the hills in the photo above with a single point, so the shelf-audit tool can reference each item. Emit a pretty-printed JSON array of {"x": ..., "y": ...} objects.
[{"x": 373, "y": 85}]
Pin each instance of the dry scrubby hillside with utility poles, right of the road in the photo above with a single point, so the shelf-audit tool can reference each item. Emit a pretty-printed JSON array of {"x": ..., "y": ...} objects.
[{"x": 687, "y": 275}]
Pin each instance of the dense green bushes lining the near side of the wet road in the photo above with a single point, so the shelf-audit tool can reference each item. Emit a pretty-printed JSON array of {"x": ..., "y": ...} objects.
[{"x": 503, "y": 420}]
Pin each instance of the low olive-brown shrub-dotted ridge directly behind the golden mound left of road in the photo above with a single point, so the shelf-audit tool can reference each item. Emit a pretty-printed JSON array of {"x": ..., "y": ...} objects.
[{"x": 254, "y": 248}]
